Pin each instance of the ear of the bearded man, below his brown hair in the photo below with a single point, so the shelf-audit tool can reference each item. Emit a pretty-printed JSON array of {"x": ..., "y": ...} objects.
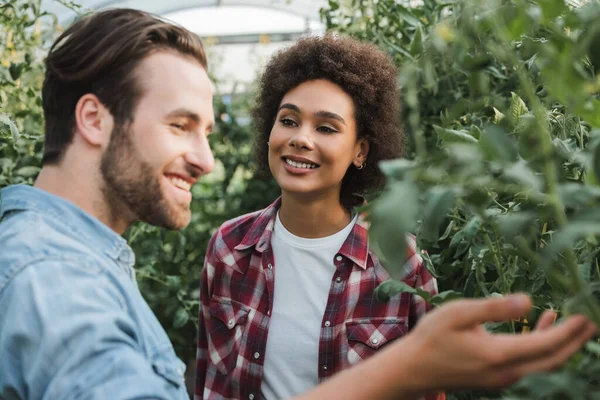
[{"x": 93, "y": 120}]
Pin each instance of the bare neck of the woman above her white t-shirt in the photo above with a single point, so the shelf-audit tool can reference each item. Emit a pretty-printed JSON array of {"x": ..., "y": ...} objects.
[{"x": 313, "y": 217}]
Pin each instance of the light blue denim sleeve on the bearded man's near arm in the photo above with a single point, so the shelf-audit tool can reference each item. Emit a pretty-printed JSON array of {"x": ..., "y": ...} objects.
[{"x": 65, "y": 334}]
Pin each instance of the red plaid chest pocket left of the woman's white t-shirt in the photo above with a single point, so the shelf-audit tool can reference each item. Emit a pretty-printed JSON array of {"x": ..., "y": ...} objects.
[{"x": 225, "y": 330}]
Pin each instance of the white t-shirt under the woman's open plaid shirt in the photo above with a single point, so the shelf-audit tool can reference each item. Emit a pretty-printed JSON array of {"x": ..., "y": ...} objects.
[{"x": 303, "y": 271}]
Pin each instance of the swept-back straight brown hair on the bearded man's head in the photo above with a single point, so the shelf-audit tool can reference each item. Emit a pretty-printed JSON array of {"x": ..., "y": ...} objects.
[{"x": 98, "y": 54}]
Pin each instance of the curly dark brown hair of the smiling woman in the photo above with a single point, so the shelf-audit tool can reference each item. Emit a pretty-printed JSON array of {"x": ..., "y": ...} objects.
[{"x": 365, "y": 73}]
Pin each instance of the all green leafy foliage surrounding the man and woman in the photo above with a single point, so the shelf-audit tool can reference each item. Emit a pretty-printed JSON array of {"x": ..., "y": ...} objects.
[{"x": 499, "y": 182}]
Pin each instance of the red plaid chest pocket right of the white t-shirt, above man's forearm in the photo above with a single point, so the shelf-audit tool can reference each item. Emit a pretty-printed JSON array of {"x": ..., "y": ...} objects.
[{"x": 367, "y": 335}]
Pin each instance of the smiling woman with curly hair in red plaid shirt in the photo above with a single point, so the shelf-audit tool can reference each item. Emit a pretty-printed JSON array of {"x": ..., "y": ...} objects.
[{"x": 287, "y": 293}]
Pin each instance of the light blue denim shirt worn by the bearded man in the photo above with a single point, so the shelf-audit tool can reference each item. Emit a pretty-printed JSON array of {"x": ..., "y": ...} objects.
[{"x": 73, "y": 324}]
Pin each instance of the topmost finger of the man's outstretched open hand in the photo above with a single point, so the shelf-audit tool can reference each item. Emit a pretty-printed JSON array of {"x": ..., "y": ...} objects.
[{"x": 468, "y": 313}]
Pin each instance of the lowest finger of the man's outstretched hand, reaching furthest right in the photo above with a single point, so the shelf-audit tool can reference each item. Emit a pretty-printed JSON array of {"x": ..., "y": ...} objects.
[{"x": 560, "y": 356}]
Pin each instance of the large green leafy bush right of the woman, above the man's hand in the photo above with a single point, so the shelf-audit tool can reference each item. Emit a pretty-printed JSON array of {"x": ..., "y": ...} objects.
[{"x": 501, "y": 181}]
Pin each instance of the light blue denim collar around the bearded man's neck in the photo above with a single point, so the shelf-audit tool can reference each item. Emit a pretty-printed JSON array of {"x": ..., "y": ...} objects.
[{"x": 83, "y": 225}]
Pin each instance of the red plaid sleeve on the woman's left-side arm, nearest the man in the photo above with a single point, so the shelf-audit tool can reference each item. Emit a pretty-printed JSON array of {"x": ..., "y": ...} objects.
[{"x": 203, "y": 315}]
